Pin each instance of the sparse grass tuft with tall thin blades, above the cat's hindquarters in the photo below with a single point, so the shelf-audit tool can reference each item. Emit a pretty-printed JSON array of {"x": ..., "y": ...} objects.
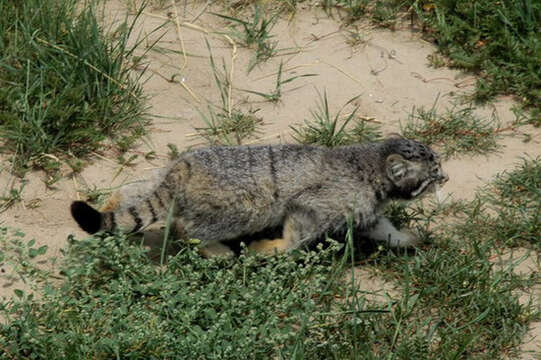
[{"x": 225, "y": 124}]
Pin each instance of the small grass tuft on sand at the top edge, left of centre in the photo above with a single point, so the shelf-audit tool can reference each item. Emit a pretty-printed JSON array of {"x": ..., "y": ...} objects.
[{"x": 256, "y": 33}]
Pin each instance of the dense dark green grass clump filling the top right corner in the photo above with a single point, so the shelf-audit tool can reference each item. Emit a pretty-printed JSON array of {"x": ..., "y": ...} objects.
[{"x": 497, "y": 39}]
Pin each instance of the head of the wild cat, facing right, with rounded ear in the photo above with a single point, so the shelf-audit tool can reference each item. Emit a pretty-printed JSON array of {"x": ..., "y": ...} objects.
[{"x": 412, "y": 167}]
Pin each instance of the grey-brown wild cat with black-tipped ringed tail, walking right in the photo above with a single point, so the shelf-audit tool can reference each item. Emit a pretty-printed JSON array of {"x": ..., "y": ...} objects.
[{"x": 216, "y": 194}]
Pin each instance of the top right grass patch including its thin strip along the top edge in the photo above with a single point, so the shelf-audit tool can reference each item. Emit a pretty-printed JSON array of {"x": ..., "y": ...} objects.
[{"x": 498, "y": 40}]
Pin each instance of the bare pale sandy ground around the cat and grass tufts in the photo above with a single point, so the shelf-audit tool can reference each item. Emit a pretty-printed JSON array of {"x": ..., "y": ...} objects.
[{"x": 388, "y": 71}]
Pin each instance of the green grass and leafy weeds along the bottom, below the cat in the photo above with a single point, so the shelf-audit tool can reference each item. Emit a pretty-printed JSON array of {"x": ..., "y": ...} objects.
[{"x": 453, "y": 300}]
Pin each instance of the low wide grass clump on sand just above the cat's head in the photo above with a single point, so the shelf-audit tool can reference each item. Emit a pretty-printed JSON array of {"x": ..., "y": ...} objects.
[{"x": 456, "y": 130}]
